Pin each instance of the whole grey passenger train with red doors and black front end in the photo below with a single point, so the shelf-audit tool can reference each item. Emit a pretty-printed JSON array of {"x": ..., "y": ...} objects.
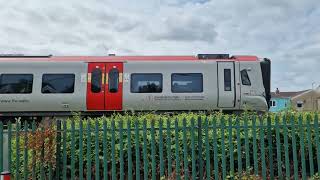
[{"x": 40, "y": 86}]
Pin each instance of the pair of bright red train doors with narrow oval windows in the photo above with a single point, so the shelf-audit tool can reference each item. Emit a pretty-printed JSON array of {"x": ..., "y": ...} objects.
[{"x": 104, "y": 87}]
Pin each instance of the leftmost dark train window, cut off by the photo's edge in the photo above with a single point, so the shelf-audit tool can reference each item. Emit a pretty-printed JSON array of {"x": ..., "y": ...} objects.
[{"x": 16, "y": 83}]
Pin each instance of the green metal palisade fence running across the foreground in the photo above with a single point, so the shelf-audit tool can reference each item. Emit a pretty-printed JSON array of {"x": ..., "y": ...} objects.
[{"x": 206, "y": 147}]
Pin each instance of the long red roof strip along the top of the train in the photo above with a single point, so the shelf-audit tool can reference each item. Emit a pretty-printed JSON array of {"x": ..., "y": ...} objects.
[{"x": 214, "y": 57}]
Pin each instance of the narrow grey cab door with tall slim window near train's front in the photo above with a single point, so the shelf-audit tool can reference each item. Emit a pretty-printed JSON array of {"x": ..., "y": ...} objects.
[{"x": 226, "y": 87}]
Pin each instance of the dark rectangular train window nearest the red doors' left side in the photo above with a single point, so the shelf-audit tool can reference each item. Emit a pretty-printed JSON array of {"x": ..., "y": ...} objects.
[{"x": 58, "y": 83}]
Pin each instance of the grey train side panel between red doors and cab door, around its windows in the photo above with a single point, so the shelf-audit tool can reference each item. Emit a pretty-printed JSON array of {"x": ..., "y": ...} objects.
[{"x": 167, "y": 100}]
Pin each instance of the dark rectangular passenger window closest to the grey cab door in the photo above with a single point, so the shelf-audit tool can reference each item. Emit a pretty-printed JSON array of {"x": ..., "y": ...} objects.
[{"x": 186, "y": 82}]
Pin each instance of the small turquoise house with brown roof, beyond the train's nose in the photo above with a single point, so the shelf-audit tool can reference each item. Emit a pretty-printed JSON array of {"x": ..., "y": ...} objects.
[{"x": 282, "y": 100}]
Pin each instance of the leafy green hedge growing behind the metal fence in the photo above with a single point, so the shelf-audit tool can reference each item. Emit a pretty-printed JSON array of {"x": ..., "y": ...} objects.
[{"x": 220, "y": 121}]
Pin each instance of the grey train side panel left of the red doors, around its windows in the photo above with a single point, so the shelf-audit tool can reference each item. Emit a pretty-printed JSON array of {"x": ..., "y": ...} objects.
[{"x": 45, "y": 102}]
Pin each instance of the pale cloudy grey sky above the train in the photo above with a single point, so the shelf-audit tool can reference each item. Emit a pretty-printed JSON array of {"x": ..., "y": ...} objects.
[{"x": 285, "y": 31}]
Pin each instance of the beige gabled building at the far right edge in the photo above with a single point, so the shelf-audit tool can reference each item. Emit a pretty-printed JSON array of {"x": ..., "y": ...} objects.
[{"x": 307, "y": 101}]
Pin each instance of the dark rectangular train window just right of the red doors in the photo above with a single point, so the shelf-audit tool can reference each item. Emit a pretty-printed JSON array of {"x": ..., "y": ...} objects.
[{"x": 146, "y": 83}]
